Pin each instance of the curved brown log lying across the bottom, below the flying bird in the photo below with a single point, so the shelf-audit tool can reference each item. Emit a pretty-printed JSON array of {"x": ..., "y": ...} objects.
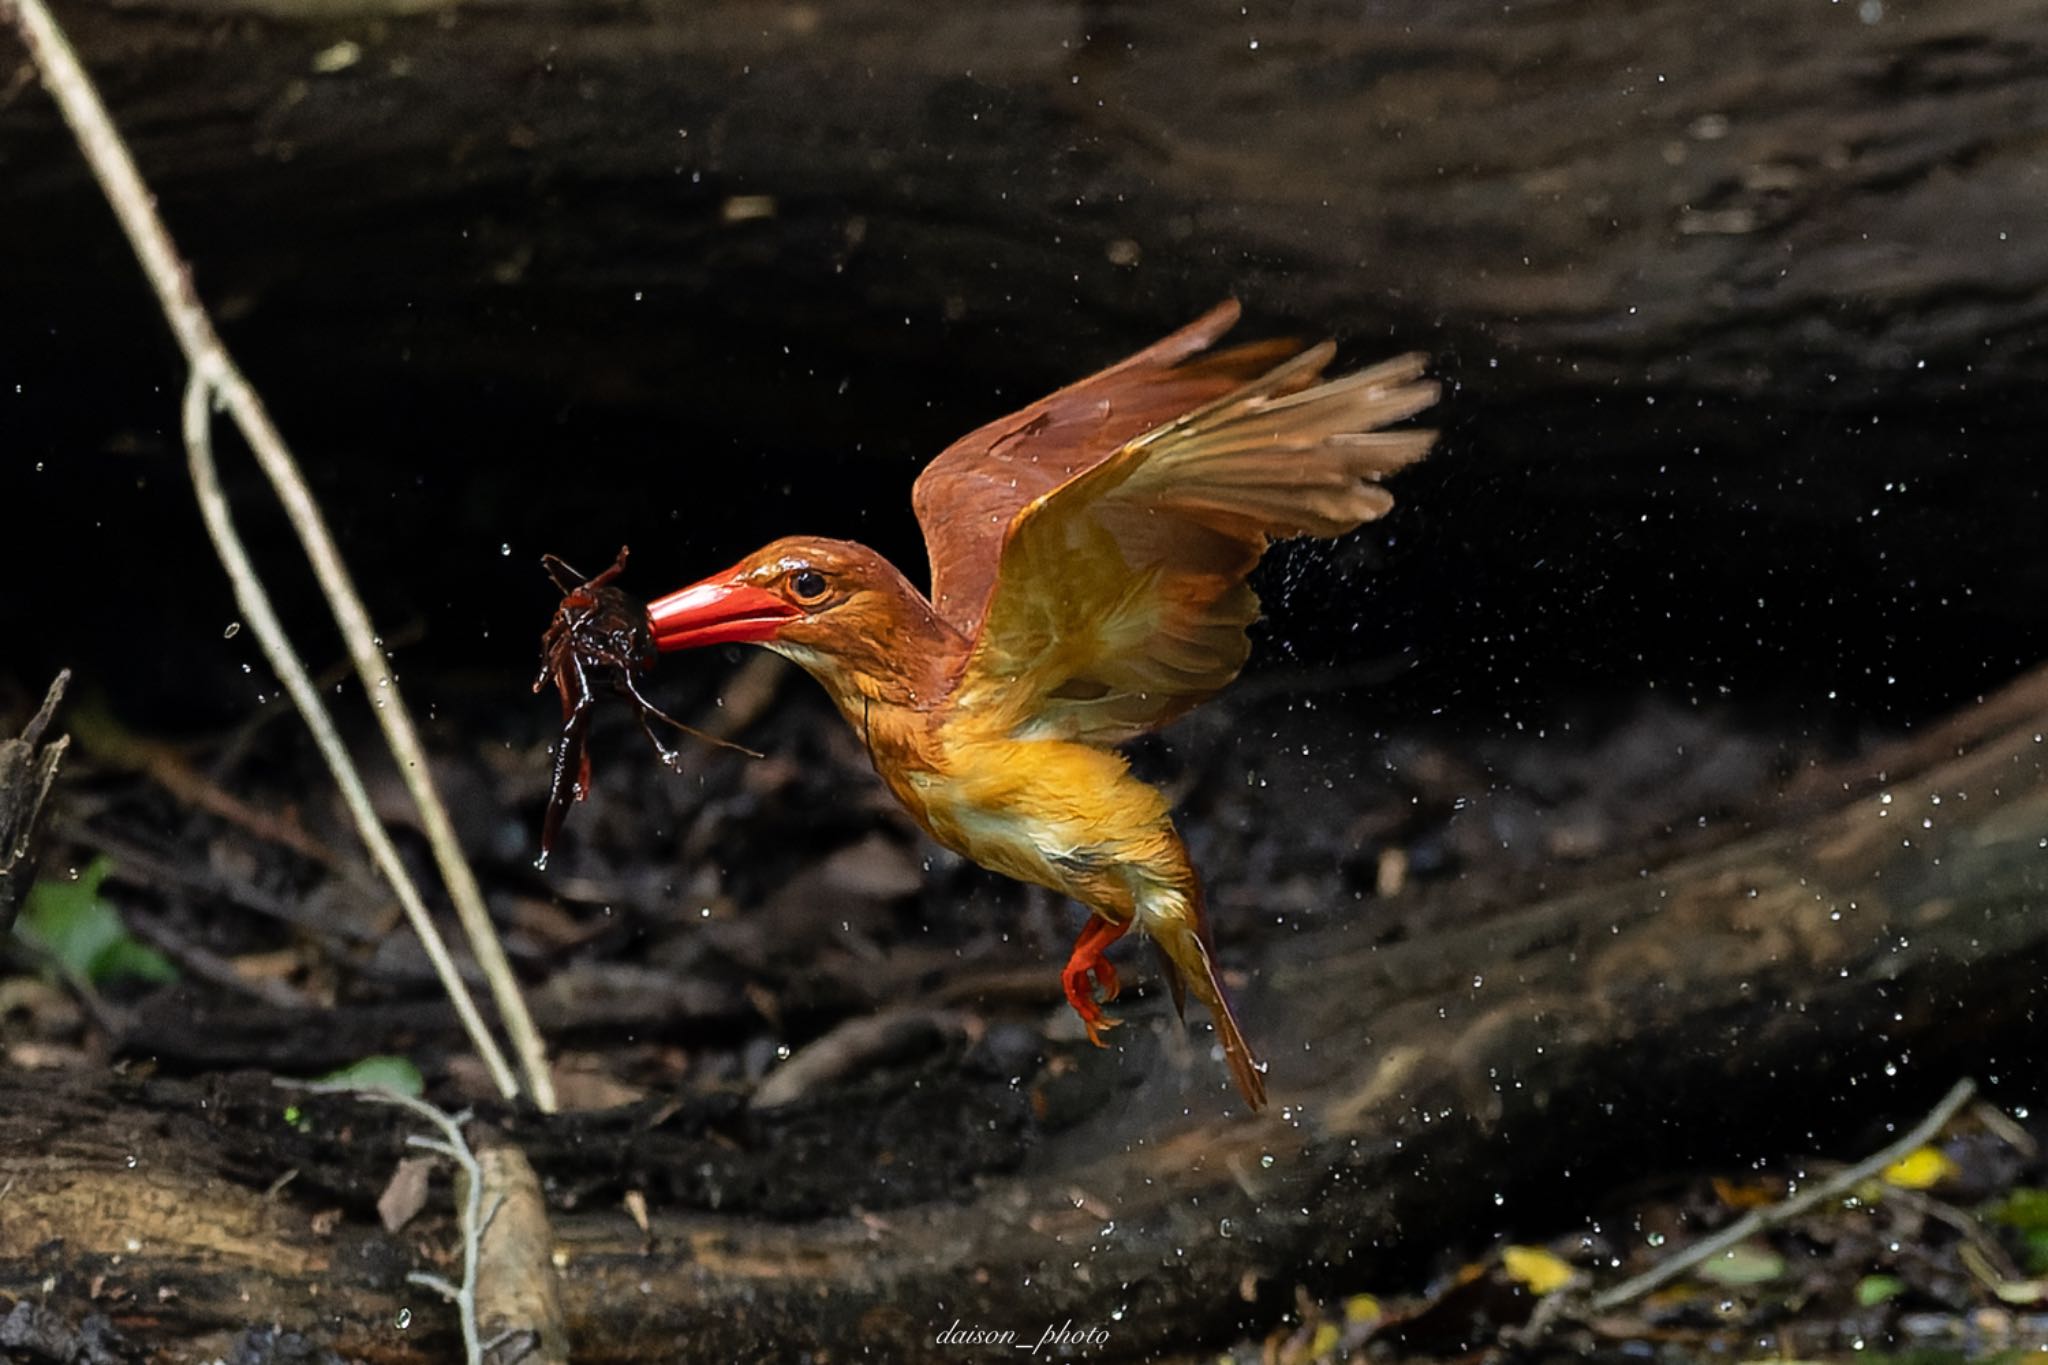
[{"x": 1846, "y": 965}]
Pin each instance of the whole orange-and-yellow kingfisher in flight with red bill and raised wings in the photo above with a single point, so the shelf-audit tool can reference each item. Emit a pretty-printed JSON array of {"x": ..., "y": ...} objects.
[{"x": 1089, "y": 584}]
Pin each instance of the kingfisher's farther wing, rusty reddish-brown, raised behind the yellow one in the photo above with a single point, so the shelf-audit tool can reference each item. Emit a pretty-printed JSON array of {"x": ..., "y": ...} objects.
[{"x": 968, "y": 498}]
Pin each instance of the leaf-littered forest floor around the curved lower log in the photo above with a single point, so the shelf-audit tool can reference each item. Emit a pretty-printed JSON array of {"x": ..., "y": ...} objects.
[{"x": 699, "y": 928}]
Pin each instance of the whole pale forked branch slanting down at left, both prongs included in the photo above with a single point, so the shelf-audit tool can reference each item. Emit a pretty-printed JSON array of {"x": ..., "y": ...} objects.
[{"x": 216, "y": 382}]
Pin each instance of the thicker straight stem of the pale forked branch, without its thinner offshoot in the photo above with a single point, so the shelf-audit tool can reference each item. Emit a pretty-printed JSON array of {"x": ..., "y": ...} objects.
[{"x": 218, "y": 380}]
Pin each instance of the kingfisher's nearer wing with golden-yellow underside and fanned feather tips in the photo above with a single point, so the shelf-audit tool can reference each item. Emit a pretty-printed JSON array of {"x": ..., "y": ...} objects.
[{"x": 1121, "y": 595}]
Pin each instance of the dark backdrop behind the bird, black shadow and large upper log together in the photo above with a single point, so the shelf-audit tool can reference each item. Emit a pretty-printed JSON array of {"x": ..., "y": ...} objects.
[{"x": 1740, "y": 320}]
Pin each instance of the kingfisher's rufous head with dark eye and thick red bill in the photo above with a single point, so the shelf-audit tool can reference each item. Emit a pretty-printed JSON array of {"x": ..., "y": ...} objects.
[{"x": 833, "y": 607}]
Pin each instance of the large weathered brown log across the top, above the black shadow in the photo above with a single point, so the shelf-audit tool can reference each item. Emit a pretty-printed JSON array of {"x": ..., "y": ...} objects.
[{"x": 1631, "y": 193}]
